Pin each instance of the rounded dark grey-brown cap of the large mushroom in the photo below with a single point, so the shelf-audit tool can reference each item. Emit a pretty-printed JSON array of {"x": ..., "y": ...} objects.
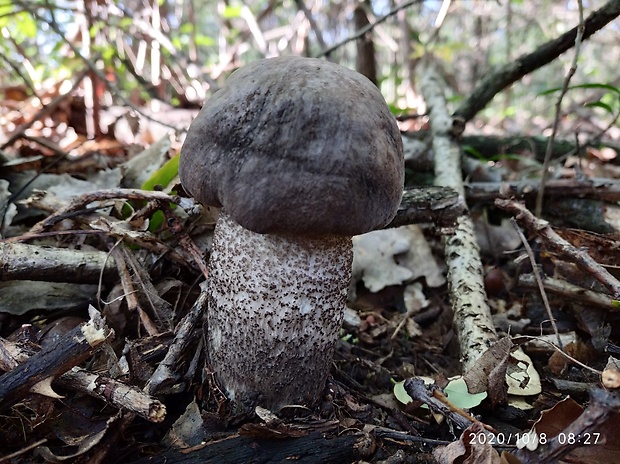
[{"x": 296, "y": 145}]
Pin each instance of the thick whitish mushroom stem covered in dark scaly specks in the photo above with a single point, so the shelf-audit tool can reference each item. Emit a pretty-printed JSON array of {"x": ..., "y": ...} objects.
[{"x": 276, "y": 304}]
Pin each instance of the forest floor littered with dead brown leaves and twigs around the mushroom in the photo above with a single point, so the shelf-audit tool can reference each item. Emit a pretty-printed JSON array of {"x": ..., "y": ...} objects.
[{"x": 400, "y": 330}]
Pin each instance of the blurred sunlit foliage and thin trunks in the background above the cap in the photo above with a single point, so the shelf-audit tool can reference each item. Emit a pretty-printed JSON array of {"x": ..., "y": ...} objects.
[{"x": 180, "y": 51}]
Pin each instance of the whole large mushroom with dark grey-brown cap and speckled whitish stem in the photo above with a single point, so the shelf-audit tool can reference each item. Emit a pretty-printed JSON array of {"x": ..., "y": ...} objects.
[{"x": 300, "y": 154}]
